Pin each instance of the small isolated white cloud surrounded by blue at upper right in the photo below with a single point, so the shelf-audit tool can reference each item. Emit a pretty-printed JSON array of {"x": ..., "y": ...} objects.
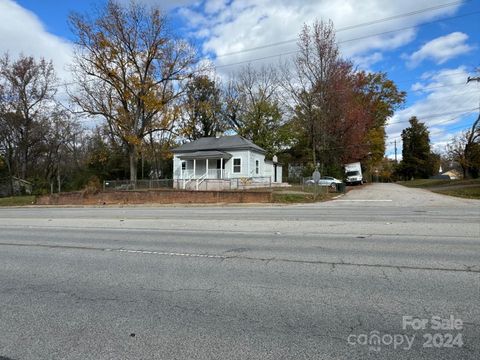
[{"x": 441, "y": 49}]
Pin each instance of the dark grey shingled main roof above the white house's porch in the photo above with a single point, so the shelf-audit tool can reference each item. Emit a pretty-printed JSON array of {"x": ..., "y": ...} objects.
[{"x": 223, "y": 143}]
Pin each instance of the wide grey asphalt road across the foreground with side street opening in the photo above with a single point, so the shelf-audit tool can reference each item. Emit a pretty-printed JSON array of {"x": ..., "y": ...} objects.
[{"x": 313, "y": 281}]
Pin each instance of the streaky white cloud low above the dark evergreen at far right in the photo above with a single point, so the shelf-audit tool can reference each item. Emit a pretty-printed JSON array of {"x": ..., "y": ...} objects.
[{"x": 446, "y": 103}]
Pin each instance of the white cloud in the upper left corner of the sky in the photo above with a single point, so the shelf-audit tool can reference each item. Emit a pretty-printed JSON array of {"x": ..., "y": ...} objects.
[{"x": 22, "y": 32}]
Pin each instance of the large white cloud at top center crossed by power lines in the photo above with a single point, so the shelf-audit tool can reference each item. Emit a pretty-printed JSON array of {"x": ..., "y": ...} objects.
[{"x": 246, "y": 24}]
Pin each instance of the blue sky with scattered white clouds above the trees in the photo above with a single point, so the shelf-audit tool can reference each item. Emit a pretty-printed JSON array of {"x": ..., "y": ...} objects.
[{"x": 427, "y": 47}]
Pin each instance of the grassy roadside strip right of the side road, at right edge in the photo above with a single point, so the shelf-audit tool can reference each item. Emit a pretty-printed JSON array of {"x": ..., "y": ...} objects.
[{"x": 469, "y": 188}]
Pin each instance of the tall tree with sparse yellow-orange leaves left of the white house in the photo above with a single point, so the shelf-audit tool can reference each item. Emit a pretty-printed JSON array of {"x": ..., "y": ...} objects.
[{"x": 129, "y": 69}]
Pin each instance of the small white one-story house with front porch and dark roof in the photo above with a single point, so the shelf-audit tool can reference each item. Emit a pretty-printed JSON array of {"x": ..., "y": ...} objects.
[{"x": 222, "y": 162}]
